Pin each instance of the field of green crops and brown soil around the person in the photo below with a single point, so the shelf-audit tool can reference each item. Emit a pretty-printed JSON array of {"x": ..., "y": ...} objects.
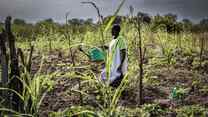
[{"x": 167, "y": 72}]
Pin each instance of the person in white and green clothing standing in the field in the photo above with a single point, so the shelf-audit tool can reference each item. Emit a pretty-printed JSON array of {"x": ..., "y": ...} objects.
[{"x": 118, "y": 51}]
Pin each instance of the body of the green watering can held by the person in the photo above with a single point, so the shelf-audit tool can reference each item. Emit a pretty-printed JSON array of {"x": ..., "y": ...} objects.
[{"x": 96, "y": 54}]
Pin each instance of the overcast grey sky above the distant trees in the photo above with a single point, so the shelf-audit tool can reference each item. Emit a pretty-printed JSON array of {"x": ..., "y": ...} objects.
[{"x": 33, "y": 10}]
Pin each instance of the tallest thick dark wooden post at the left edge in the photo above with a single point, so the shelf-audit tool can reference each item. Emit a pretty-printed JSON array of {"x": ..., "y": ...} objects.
[{"x": 15, "y": 84}]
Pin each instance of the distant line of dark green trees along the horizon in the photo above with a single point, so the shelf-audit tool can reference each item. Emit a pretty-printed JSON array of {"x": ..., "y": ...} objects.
[{"x": 168, "y": 22}]
